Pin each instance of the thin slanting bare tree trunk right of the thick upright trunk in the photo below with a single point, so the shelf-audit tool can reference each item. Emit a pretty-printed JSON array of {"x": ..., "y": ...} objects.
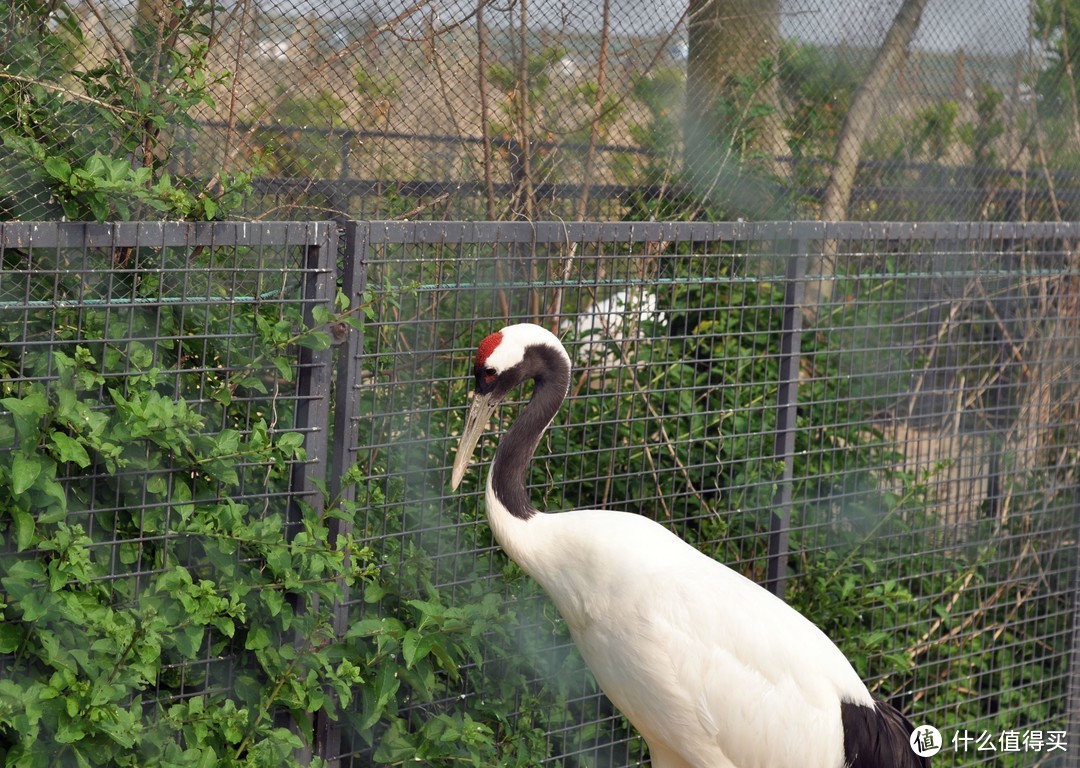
[{"x": 857, "y": 128}]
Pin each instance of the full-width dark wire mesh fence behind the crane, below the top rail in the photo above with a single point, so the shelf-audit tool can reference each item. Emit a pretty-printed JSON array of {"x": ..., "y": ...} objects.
[{"x": 877, "y": 422}]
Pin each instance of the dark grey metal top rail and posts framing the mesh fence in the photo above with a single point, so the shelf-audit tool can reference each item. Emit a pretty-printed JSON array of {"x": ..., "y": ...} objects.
[{"x": 329, "y": 410}]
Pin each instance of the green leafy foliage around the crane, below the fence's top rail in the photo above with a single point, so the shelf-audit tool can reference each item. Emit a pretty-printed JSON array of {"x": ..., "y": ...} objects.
[{"x": 166, "y": 602}]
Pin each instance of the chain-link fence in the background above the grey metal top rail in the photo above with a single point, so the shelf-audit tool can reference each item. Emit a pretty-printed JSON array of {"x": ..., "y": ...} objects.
[{"x": 604, "y": 111}]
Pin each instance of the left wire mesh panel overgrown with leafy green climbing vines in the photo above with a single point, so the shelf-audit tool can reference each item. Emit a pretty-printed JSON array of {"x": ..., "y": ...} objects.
[{"x": 164, "y": 422}]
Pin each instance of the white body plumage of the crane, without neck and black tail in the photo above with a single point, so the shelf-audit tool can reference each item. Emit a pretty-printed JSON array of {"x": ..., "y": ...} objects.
[{"x": 650, "y": 612}]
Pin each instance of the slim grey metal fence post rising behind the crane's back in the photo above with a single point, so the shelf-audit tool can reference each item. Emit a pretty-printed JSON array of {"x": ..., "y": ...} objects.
[{"x": 787, "y": 407}]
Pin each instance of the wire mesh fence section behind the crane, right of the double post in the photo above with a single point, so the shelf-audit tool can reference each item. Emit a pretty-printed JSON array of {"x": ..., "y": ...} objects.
[{"x": 906, "y": 471}]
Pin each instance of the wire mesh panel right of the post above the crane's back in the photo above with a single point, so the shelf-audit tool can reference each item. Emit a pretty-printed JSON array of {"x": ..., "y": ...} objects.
[{"x": 949, "y": 381}]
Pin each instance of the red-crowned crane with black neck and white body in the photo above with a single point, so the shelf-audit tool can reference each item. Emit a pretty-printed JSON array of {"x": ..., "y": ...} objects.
[{"x": 713, "y": 670}]
